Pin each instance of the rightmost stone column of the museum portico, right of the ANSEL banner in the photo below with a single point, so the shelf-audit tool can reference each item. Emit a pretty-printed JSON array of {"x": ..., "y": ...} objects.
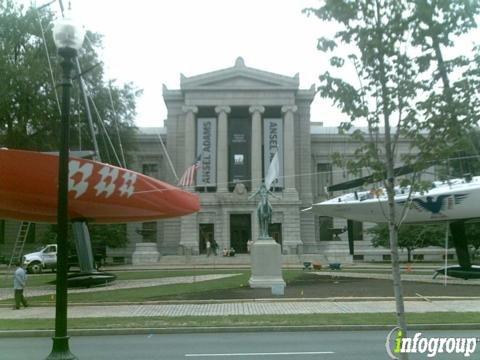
[{"x": 289, "y": 148}]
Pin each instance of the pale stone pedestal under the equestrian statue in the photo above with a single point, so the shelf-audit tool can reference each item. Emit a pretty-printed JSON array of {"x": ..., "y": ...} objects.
[{"x": 266, "y": 263}]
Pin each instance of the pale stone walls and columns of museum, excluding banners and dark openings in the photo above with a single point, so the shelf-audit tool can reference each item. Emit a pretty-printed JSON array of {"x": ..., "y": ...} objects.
[{"x": 307, "y": 164}]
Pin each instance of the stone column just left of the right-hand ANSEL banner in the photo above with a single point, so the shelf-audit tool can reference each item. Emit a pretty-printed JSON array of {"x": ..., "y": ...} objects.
[{"x": 256, "y": 111}]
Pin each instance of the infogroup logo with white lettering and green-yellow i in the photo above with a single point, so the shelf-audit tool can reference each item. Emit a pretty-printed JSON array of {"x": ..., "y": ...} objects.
[{"x": 397, "y": 343}]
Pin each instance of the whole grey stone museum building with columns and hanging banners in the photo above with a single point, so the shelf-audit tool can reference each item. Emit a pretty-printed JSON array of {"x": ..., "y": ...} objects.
[{"x": 231, "y": 122}]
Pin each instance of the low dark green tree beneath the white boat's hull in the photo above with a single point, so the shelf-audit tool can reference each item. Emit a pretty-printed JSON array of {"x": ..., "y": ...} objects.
[{"x": 410, "y": 237}]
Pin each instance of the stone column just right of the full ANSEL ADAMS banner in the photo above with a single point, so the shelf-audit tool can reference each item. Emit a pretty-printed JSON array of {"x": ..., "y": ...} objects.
[{"x": 222, "y": 148}]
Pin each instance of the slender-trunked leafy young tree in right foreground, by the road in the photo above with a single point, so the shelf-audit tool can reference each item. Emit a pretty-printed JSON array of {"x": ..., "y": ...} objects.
[{"x": 386, "y": 51}]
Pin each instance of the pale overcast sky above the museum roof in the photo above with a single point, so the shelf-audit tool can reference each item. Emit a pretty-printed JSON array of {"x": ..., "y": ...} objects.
[{"x": 150, "y": 42}]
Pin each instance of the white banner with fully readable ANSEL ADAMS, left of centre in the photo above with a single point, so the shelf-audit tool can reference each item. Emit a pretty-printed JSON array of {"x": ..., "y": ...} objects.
[{"x": 207, "y": 147}]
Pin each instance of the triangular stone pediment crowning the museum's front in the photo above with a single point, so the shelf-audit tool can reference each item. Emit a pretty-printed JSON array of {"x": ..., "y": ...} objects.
[{"x": 239, "y": 77}]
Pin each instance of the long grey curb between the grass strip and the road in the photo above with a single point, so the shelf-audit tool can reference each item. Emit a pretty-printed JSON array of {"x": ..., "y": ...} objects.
[{"x": 243, "y": 329}]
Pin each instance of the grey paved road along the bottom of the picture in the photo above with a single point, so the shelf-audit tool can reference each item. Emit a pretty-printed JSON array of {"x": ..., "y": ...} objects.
[{"x": 366, "y": 345}]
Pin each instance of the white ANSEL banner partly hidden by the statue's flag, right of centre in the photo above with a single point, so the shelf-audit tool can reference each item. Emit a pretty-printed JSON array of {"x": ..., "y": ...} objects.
[{"x": 273, "y": 142}]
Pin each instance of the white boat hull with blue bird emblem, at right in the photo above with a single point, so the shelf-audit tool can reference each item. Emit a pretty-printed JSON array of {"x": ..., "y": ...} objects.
[{"x": 455, "y": 200}]
